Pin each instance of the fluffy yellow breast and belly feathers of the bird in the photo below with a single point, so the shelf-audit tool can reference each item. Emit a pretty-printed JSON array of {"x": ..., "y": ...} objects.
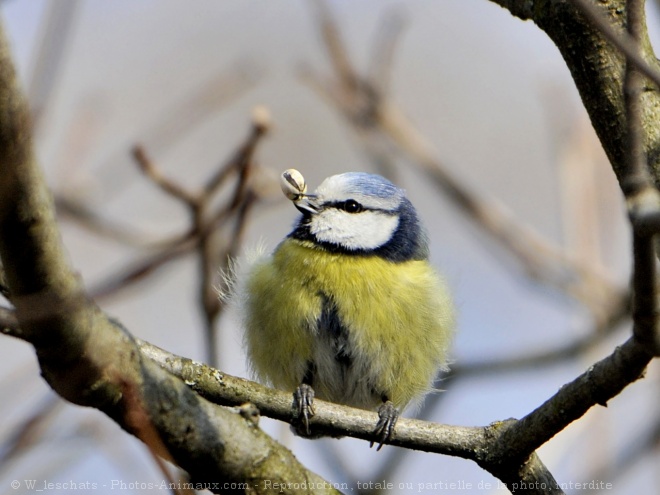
[{"x": 398, "y": 317}]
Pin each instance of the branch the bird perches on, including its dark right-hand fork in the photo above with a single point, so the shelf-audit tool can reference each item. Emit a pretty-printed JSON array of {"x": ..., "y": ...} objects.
[{"x": 505, "y": 449}]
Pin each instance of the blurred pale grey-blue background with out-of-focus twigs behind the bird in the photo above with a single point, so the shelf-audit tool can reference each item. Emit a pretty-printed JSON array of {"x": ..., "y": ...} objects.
[{"x": 476, "y": 101}]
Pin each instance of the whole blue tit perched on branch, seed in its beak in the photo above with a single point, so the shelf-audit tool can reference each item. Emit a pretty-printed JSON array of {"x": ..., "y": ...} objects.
[{"x": 347, "y": 308}]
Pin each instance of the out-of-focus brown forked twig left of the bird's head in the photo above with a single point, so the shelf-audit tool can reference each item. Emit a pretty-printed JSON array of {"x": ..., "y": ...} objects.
[{"x": 207, "y": 229}]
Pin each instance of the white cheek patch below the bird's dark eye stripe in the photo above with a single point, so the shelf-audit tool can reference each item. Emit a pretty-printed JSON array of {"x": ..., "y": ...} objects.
[{"x": 354, "y": 231}]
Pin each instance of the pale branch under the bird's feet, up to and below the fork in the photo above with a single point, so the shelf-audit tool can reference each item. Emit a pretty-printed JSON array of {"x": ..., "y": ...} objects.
[{"x": 526, "y": 476}]
